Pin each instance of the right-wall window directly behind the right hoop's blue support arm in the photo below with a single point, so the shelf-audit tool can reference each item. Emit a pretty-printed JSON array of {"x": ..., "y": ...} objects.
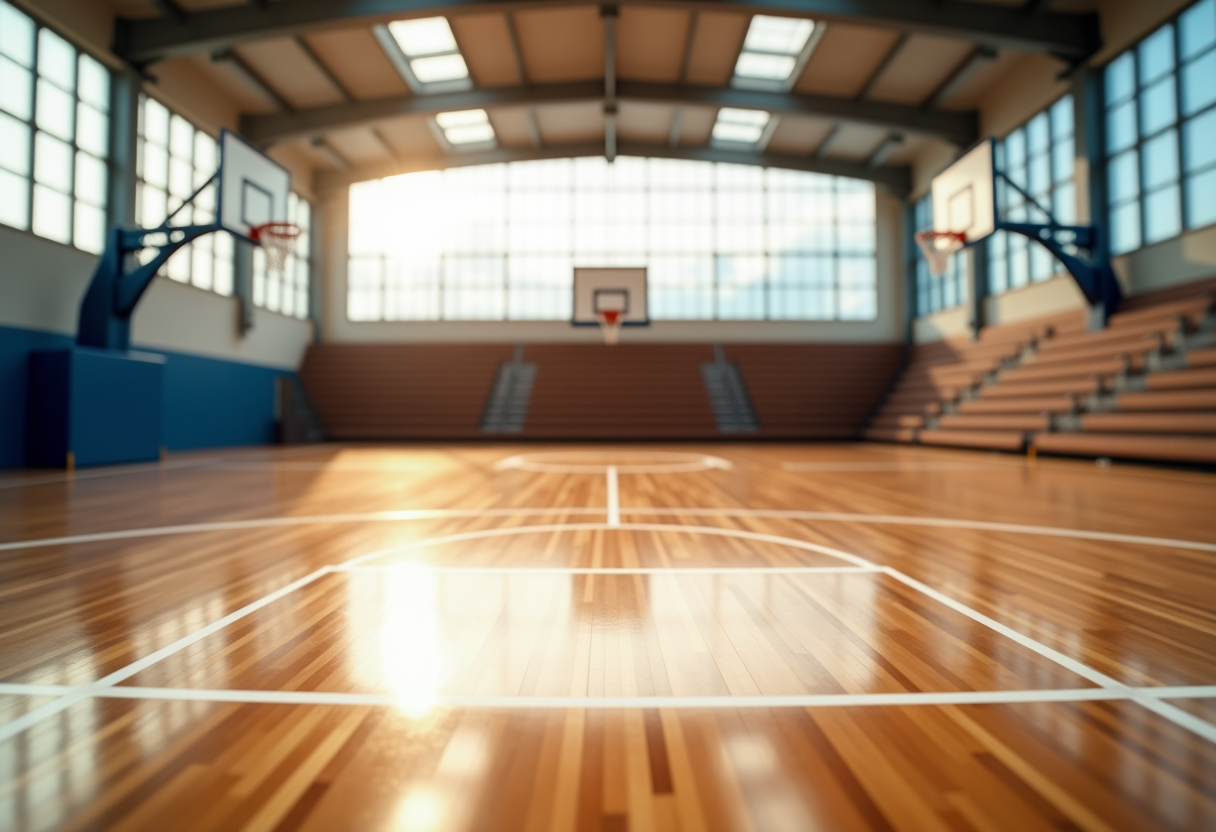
[{"x": 1040, "y": 158}]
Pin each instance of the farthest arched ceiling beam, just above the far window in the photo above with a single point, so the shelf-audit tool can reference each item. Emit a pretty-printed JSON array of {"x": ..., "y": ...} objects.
[{"x": 898, "y": 181}]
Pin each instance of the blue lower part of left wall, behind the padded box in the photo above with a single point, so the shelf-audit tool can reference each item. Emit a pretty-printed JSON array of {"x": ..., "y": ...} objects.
[{"x": 209, "y": 403}]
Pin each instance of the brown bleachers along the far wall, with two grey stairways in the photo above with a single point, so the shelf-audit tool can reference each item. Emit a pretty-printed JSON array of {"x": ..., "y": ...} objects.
[{"x": 595, "y": 392}]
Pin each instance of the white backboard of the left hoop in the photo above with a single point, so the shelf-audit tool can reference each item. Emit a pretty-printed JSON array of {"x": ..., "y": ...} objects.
[{"x": 254, "y": 188}]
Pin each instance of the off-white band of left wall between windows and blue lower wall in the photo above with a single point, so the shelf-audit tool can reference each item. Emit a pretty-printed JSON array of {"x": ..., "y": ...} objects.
[{"x": 42, "y": 284}]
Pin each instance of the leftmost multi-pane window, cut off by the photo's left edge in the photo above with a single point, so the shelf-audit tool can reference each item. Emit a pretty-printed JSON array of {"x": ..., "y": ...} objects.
[{"x": 54, "y": 136}]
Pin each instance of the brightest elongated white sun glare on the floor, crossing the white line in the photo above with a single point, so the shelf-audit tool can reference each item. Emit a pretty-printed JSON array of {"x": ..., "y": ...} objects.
[{"x": 413, "y": 660}]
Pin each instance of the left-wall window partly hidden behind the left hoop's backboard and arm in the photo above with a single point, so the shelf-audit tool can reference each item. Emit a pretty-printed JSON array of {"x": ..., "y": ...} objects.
[{"x": 176, "y": 159}]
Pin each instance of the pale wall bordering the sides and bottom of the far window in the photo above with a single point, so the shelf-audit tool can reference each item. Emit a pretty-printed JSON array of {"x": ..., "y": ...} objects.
[{"x": 888, "y": 327}]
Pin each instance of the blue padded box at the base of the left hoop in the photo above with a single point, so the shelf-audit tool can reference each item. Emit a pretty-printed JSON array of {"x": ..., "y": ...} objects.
[{"x": 102, "y": 407}]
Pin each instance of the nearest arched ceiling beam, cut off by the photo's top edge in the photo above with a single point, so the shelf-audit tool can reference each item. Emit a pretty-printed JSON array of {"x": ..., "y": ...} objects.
[{"x": 143, "y": 42}]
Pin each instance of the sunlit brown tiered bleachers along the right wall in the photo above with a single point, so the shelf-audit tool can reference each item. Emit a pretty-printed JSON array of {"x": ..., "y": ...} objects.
[{"x": 1145, "y": 387}]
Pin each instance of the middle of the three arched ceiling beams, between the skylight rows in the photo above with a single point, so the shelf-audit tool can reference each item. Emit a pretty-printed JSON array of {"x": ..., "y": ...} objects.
[{"x": 267, "y": 131}]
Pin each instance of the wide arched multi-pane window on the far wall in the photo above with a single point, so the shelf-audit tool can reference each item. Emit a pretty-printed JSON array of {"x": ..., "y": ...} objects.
[{"x": 720, "y": 241}]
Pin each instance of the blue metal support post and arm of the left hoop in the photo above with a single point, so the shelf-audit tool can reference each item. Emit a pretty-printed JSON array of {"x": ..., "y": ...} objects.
[{"x": 114, "y": 293}]
